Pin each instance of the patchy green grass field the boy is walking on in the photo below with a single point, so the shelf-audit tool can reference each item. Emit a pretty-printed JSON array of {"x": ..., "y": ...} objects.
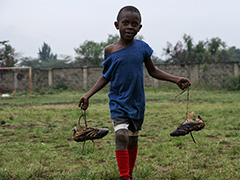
[{"x": 36, "y": 137}]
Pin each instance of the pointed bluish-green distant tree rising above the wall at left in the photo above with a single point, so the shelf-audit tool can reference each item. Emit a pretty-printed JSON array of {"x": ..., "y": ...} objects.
[{"x": 45, "y": 54}]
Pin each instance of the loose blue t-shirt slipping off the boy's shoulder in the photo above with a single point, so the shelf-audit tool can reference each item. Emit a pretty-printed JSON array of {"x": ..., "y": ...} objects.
[{"x": 124, "y": 69}]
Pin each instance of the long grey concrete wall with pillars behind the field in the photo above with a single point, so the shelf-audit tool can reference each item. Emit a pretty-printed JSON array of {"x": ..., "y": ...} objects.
[{"x": 86, "y": 77}]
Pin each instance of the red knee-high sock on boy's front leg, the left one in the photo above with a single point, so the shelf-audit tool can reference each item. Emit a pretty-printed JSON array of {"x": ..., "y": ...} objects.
[{"x": 123, "y": 163}]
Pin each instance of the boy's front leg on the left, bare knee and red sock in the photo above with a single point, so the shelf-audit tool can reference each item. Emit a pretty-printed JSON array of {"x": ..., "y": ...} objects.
[{"x": 121, "y": 140}]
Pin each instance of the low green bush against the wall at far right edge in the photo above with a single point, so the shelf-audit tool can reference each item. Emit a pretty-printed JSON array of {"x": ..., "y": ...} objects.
[{"x": 231, "y": 82}]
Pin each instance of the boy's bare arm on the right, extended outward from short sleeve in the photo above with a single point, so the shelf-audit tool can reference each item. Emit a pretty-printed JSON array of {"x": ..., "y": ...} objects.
[{"x": 161, "y": 75}]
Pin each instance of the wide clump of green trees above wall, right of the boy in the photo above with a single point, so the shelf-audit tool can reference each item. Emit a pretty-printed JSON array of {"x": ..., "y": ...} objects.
[{"x": 209, "y": 51}]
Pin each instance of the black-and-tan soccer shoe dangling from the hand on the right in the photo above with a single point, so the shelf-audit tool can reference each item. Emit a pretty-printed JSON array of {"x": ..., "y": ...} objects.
[{"x": 189, "y": 125}]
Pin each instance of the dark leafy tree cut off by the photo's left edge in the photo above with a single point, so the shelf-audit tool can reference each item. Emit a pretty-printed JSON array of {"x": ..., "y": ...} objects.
[{"x": 7, "y": 55}]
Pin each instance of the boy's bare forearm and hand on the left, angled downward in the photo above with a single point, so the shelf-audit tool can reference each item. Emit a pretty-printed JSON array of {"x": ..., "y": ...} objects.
[{"x": 102, "y": 82}]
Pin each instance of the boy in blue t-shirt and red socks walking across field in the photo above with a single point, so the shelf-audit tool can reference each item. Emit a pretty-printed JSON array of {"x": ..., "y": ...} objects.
[{"x": 123, "y": 68}]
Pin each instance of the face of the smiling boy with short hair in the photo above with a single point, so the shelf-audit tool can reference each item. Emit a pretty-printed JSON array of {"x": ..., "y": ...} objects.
[{"x": 129, "y": 25}]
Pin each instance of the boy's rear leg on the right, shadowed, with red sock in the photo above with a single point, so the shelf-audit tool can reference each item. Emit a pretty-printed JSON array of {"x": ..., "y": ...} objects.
[{"x": 132, "y": 152}]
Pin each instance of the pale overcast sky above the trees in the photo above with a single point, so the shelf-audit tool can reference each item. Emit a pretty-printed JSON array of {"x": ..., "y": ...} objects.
[{"x": 65, "y": 24}]
